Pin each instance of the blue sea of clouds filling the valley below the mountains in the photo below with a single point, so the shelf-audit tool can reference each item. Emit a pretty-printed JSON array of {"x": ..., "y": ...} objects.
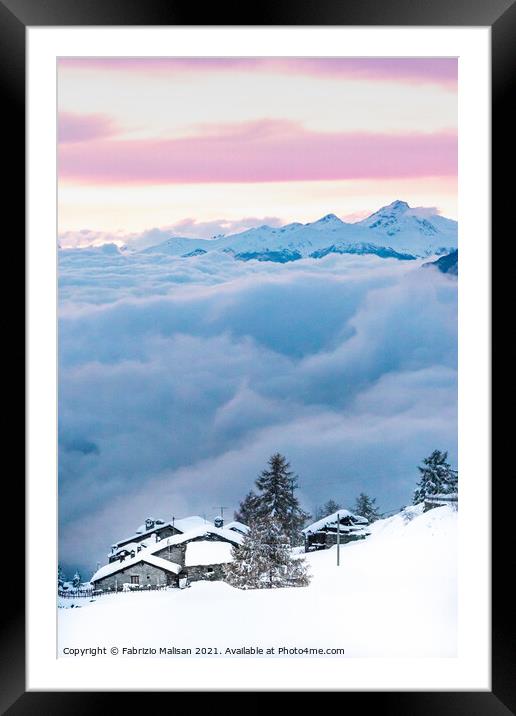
[{"x": 179, "y": 377}]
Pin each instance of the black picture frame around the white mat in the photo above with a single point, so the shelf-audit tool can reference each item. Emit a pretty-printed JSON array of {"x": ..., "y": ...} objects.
[{"x": 500, "y": 16}]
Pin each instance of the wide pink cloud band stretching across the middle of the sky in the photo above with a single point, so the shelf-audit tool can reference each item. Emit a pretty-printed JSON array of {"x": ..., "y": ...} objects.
[{"x": 263, "y": 151}]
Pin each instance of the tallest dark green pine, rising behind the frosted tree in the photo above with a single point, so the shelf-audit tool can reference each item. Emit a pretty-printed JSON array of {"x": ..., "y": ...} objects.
[{"x": 277, "y": 499}]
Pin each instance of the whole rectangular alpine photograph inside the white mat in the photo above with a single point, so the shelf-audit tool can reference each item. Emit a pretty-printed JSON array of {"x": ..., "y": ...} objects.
[{"x": 257, "y": 357}]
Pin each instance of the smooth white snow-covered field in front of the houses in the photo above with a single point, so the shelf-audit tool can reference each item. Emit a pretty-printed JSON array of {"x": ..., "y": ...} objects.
[{"x": 394, "y": 594}]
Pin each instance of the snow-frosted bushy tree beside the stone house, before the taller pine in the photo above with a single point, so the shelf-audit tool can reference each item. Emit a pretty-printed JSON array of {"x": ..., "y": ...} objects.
[{"x": 264, "y": 559}]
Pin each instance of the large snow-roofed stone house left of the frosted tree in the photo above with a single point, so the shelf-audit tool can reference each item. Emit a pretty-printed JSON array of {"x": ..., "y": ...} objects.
[{"x": 197, "y": 553}]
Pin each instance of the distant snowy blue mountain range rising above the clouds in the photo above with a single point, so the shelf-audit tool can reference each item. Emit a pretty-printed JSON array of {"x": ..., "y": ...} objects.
[{"x": 396, "y": 231}]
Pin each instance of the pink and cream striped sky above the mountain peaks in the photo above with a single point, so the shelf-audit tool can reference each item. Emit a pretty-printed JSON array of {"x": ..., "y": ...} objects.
[{"x": 147, "y": 142}]
